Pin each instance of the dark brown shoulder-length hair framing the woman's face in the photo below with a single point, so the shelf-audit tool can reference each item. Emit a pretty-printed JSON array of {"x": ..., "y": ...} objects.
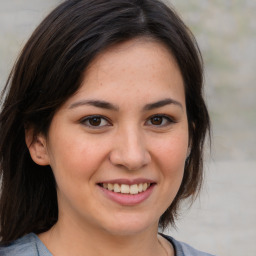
[{"x": 50, "y": 69}]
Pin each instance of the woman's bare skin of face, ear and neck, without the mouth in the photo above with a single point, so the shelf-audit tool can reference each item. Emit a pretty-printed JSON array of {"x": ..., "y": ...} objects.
[{"x": 127, "y": 142}]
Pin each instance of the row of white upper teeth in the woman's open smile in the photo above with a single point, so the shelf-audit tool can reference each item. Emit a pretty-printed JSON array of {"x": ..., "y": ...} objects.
[{"x": 126, "y": 189}]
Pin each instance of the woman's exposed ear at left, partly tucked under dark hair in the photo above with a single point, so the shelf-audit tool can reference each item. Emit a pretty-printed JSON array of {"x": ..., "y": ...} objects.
[{"x": 37, "y": 147}]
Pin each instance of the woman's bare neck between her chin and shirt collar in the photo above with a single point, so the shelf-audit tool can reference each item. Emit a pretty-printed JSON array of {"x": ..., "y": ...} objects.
[{"x": 76, "y": 240}]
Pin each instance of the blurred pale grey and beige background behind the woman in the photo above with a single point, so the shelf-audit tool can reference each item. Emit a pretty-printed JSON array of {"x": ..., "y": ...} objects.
[{"x": 223, "y": 219}]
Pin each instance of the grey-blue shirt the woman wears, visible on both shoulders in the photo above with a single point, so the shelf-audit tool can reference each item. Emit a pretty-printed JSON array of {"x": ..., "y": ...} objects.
[{"x": 31, "y": 245}]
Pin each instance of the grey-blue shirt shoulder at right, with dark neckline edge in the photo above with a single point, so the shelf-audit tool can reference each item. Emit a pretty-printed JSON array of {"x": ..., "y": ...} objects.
[{"x": 183, "y": 249}]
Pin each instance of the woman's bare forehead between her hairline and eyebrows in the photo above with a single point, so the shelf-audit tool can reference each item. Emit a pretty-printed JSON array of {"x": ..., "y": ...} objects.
[{"x": 138, "y": 68}]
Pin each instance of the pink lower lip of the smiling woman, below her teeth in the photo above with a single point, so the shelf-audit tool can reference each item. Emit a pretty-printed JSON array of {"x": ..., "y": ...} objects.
[{"x": 128, "y": 199}]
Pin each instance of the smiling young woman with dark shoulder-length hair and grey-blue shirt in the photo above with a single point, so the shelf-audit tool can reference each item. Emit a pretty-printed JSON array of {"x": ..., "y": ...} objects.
[{"x": 102, "y": 132}]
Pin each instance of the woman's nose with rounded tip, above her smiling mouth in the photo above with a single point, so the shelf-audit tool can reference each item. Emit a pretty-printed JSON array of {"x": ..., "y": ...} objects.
[{"x": 130, "y": 151}]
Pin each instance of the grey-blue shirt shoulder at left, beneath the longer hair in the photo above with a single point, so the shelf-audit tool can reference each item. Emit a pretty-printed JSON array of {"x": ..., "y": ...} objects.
[{"x": 29, "y": 245}]
